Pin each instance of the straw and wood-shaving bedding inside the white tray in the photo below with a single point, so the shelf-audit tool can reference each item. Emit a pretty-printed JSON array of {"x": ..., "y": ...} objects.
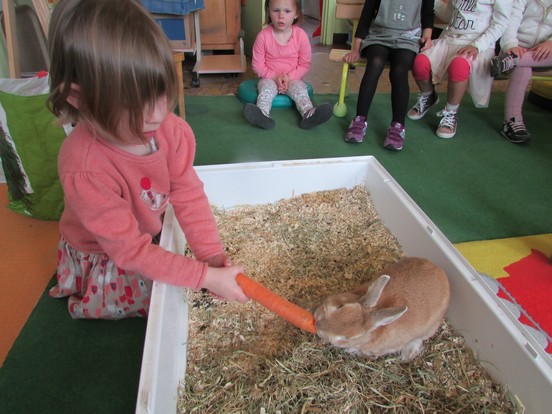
[{"x": 244, "y": 359}]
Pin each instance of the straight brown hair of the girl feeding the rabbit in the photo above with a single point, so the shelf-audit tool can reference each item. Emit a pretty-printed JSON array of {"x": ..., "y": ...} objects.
[{"x": 117, "y": 55}]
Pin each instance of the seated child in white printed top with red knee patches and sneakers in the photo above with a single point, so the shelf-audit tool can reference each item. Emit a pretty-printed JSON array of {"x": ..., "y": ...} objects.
[{"x": 462, "y": 53}]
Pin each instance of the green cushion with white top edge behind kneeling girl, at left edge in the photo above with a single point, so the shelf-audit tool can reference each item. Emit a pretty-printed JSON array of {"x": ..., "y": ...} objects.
[{"x": 30, "y": 139}]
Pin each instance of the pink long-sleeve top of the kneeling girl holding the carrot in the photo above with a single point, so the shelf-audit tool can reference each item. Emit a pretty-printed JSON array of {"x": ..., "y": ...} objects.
[{"x": 115, "y": 200}]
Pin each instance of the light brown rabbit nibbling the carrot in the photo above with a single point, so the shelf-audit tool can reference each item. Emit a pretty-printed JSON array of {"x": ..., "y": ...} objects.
[{"x": 396, "y": 313}]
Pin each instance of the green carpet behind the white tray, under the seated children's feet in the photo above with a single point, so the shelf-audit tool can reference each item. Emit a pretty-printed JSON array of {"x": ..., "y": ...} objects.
[{"x": 476, "y": 186}]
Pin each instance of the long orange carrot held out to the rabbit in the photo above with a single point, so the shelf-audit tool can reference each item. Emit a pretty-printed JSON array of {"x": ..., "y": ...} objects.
[{"x": 294, "y": 314}]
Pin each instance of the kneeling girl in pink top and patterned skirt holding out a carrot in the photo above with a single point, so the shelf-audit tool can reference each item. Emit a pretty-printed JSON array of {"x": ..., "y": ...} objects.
[{"x": 113, "y": 75}]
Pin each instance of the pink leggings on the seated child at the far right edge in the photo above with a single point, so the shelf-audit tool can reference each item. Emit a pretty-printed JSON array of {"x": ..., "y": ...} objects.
[{"x": 518, "y": 82}]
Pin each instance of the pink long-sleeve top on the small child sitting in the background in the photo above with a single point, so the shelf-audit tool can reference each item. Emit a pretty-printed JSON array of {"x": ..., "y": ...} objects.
[{"x": 271, "y": 58}]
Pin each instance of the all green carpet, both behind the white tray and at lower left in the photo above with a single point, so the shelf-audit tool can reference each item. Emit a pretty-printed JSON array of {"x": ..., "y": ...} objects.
[{"x": 476, "y": 186}]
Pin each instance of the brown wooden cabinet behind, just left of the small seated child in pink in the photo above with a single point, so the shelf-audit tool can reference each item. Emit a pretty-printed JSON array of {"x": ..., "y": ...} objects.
[{"x": 220, "y": 25}]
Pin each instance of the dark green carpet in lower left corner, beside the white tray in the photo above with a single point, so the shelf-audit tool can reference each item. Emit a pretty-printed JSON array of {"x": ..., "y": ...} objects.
[{"x": 59, "y": 365}]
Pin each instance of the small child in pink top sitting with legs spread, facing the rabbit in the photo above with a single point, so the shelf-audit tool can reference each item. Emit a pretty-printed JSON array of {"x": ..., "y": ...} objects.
[{"x": 281, "y": 57}]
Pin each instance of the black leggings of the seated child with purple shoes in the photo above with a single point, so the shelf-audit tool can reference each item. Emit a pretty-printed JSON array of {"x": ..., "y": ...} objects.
[{"x": 400, "y": 63}]
